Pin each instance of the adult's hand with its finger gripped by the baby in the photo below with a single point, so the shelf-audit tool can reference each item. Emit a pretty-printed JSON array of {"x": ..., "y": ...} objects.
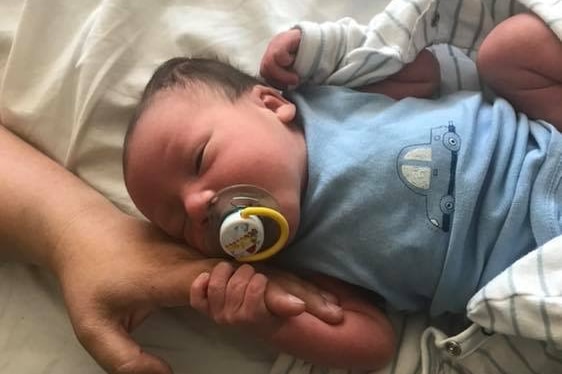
[{"x": 115, "y": 275}]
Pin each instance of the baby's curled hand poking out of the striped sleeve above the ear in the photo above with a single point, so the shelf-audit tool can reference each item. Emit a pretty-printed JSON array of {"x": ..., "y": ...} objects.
[{"x": 278, "y": 59}]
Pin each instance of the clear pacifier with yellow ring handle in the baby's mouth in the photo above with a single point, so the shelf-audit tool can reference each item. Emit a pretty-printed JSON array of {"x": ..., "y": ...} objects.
[{"x": 245, "y": 223}]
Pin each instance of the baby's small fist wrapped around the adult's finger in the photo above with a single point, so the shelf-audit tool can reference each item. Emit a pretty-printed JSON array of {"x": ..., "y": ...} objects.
[{"x": 236, "y": 297}]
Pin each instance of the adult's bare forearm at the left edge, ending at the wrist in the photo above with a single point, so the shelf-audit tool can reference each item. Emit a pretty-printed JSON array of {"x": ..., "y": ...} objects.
[{"x": 39, "y": 199}]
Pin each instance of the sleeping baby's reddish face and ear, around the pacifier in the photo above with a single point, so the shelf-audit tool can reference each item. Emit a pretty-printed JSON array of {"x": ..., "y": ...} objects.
[{"x": 185, "y": 149}]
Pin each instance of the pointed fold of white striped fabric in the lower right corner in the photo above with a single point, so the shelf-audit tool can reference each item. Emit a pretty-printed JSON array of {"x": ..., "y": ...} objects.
[{"x": 526, "y": 299}]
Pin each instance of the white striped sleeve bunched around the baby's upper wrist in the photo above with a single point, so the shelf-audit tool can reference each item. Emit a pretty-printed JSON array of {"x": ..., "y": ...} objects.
[{"x": 347, "y": 53}]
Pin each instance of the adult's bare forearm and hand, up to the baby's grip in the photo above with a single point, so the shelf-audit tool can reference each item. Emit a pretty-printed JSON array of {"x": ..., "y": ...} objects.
[{"x": 113, "y": 269}]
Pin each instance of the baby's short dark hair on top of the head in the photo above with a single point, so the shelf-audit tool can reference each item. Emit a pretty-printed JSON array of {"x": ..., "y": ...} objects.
[{"x": 184, "y": 72}]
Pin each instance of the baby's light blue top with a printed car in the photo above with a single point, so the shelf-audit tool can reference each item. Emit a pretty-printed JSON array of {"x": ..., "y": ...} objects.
[{"x": 422, "y": 201}]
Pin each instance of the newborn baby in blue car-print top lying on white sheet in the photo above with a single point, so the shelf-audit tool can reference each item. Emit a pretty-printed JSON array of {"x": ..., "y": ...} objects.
[{"x": 421, "y": 201}]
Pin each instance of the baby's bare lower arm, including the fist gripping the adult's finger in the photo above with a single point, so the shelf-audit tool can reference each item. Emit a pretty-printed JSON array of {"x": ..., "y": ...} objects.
[{"x": 363, "y": 340}]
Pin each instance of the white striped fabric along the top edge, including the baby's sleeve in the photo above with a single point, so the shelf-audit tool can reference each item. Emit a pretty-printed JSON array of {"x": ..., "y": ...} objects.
[{"x": 350, "y": 54}]
